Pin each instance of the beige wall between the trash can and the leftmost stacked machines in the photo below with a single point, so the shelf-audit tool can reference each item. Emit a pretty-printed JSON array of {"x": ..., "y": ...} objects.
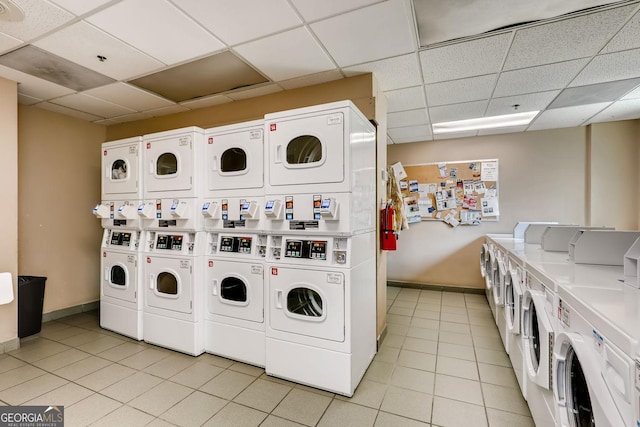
[{"x": 59, "y": 183}]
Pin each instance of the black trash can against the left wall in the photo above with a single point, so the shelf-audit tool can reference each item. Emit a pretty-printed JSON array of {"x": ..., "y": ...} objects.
[{"x": 30, "y": 299}]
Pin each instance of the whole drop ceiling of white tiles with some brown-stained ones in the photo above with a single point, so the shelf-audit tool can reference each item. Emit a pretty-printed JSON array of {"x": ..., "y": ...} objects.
[{"x": 114, "y": 61}]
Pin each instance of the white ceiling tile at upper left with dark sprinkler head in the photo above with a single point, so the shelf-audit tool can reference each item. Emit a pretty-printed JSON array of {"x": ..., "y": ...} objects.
[{"x": 82, "y": 43}]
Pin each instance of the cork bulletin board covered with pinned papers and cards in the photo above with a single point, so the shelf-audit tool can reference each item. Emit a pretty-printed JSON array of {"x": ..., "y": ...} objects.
[{"x": 458, "y": 193}]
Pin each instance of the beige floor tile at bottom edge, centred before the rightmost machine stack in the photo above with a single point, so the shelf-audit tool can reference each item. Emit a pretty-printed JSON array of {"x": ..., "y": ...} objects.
[{"x": 302, "y": 407}]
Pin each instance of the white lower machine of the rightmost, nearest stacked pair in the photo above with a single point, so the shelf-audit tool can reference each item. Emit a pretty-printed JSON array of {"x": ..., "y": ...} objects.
[{"x": 321, "y": 310}]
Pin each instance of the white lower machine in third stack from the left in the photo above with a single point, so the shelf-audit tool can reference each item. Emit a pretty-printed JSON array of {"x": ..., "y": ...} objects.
[{"x": 234, "y": 317}]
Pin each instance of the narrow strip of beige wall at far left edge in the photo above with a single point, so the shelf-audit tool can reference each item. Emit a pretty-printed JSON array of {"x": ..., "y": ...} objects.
[{"x": 9, "y": 215}]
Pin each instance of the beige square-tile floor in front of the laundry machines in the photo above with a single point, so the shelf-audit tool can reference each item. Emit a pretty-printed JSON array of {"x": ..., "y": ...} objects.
[{"x": 441, "y": 364}]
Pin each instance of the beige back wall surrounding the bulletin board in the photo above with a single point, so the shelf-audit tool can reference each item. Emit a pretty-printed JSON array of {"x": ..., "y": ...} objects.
[{"x": 542, "y": 178}]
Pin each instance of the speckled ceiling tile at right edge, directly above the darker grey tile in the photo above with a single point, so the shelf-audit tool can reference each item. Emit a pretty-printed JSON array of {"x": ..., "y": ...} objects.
[{"x": 611, "y": 66}]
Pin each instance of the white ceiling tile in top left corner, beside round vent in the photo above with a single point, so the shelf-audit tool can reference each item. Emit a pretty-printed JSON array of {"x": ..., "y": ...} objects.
[{"x": 40, "y": 17}]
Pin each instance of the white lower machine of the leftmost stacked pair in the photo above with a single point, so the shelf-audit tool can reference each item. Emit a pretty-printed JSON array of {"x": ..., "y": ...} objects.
[{"x": 121, "y": 295}]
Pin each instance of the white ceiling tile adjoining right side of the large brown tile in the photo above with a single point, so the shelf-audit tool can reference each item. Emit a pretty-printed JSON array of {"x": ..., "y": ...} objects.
[{"x": 304, "y": 55}]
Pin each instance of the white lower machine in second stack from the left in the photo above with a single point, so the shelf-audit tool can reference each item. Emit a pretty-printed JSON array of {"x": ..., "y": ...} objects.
[{"x": 173, "y": 312}]
